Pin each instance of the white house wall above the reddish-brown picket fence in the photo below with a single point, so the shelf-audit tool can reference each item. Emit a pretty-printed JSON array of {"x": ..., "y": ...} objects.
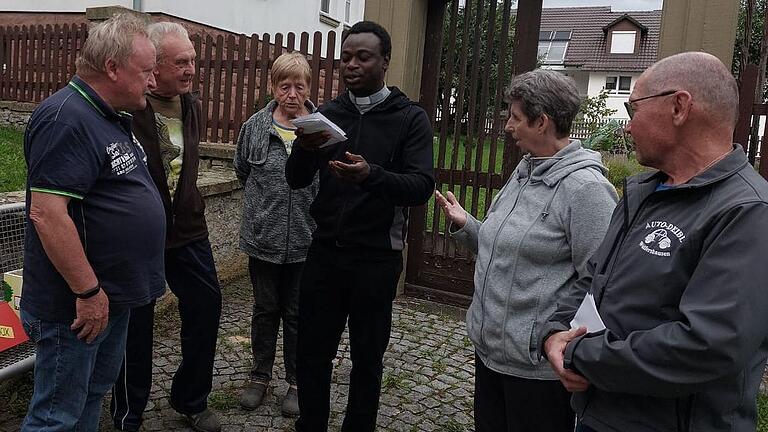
[{"x": 239, "y": 16}]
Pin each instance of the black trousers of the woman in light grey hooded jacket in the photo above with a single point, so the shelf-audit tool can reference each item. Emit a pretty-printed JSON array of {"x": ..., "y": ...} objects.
[{"x": 504, "y": 403}]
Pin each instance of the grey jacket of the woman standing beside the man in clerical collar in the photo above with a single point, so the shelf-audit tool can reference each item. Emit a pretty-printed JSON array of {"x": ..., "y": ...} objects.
[{"x": 276, "y": 226}]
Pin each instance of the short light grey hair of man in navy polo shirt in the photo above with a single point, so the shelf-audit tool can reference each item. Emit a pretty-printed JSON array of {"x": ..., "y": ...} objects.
[{"x": 110, "y": 39}]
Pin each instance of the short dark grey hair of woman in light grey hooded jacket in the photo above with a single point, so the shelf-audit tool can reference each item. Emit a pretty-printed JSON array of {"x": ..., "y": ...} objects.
[{"x": 546, "y": 92}]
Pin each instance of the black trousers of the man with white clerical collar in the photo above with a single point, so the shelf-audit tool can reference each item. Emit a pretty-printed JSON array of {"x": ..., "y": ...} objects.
[{"x": 340, "y": 285}]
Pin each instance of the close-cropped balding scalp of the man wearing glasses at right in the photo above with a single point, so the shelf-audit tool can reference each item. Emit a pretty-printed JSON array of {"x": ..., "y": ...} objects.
[{"x": 704, "y": 76}]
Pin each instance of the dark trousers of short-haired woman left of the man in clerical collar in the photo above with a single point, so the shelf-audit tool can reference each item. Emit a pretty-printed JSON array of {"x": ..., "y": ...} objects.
[{"x": 275, "y": 297}]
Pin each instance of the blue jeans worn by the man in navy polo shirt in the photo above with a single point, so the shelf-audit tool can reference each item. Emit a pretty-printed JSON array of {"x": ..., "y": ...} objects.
[{"x": 71, "y": 376}]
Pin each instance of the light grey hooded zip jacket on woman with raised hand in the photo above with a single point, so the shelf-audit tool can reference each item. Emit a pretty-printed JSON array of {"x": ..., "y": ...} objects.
[{"x": 535, "y": 241}]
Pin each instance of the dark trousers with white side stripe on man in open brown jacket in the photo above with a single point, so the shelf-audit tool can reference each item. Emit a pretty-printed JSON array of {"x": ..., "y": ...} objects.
[{"x": 191, "y": 275}]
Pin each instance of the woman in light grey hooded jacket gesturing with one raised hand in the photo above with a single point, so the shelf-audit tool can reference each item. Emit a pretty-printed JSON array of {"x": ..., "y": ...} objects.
[{"x": 536, "y": 238}]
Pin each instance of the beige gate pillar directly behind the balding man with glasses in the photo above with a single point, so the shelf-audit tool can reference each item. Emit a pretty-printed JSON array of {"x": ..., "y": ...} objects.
[{"x": 699, "y": 25}]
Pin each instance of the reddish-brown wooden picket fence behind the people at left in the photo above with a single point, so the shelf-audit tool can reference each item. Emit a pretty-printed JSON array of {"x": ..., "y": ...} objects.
[{"x": 232, "y": 72}]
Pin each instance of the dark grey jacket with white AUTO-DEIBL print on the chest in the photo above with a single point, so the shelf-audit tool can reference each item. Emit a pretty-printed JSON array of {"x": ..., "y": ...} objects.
[{"x": 680, "y": 283}]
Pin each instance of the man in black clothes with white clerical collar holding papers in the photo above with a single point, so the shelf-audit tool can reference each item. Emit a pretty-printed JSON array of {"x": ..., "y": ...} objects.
[{"x": 367, "y": 184}]
